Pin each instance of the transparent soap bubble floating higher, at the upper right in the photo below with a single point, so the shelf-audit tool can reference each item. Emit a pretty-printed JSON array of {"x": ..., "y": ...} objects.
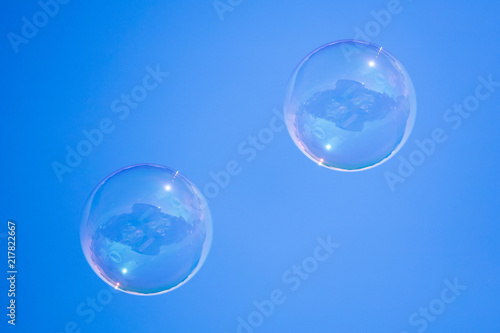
[{"x": 350, "y": 105}]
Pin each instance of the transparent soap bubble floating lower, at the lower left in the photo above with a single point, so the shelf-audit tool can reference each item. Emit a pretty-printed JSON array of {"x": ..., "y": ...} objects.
[{"x": 146, "y": 229}]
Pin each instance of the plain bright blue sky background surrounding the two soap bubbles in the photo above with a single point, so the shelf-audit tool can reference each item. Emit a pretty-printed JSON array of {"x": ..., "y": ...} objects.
[{"x": 225, "y": 77}]
